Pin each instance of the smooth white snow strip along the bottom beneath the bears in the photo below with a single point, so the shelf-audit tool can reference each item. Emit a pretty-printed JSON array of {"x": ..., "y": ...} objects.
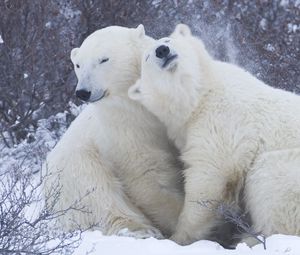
[{"x": 97, "y": 243}]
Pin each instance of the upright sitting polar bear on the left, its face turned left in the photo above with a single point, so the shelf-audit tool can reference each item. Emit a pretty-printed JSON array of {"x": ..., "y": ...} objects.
[{"x": 115, "y": 147}]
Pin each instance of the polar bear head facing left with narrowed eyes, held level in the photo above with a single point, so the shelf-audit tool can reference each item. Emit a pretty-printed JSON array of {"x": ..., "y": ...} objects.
[{"x": 108, "y": 61}]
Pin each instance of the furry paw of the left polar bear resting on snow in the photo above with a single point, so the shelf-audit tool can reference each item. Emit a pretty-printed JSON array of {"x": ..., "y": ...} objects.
[{"x": 142, "y": 233}]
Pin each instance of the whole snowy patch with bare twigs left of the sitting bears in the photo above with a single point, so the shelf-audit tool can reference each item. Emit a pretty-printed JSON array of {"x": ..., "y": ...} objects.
[{"x": 26, "y": 227}]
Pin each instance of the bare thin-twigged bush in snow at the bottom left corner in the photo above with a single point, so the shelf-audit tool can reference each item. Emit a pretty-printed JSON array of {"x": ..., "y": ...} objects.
[{"x": 26, "y": 227}]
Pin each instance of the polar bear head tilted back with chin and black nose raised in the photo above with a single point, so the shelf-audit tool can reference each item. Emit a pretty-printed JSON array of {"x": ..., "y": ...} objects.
[{"x": 174, "y": 74}]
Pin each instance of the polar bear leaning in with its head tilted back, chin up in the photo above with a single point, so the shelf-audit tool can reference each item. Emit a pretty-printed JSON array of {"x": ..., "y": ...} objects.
[{"x": 233, "y": 131}]
